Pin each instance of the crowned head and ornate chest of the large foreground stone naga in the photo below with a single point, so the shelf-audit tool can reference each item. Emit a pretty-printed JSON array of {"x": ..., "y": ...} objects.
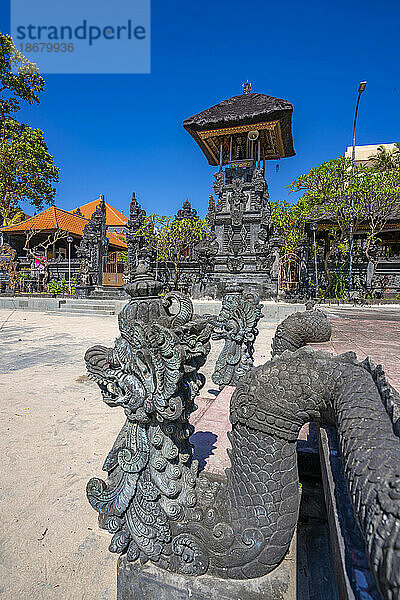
[{"x": 152, "y": 374}]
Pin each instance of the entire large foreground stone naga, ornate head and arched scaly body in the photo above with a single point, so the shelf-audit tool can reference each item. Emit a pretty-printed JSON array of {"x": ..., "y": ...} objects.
[{"x": 159, "y": 509}]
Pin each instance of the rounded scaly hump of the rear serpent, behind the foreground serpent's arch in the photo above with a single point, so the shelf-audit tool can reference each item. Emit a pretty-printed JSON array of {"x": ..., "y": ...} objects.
[{"x": 301, "y": 328}]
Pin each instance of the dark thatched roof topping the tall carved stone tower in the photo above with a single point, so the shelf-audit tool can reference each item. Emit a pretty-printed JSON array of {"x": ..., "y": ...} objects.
[{"x": 244, "y": 109}]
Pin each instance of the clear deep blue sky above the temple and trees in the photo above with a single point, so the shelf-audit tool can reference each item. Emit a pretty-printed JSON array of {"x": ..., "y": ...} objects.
[{"x": 114, "y": 134}]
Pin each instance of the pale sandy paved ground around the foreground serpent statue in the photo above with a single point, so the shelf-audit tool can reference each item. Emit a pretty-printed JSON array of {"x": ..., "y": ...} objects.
[{"x": 56, "y": 433}]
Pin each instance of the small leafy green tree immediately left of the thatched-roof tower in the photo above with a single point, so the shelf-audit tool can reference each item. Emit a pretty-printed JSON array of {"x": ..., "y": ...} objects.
[{"x": 172, "y": 239}]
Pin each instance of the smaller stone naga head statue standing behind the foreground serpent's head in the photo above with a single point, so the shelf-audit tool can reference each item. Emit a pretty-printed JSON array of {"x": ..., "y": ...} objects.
[{"x": 237, "y": 325}]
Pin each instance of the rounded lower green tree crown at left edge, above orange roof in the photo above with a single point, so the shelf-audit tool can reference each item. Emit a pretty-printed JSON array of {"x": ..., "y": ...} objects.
[{"x": 27, "y": 171}]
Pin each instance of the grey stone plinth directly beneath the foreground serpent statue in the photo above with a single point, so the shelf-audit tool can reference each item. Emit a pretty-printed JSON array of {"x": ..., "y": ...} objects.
[{"x": 148, "y": 582}]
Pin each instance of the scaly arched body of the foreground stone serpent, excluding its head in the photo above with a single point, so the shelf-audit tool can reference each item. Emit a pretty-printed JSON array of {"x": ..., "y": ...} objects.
[{"x": 270, "y": 405}]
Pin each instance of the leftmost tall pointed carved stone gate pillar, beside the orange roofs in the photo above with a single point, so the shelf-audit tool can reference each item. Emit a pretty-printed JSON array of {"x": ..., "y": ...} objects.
[{"x": 93, "y": 246}]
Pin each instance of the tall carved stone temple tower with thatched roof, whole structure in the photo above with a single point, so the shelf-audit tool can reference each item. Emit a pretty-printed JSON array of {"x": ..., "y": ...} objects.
[{"x": 238, "y": 135}]
